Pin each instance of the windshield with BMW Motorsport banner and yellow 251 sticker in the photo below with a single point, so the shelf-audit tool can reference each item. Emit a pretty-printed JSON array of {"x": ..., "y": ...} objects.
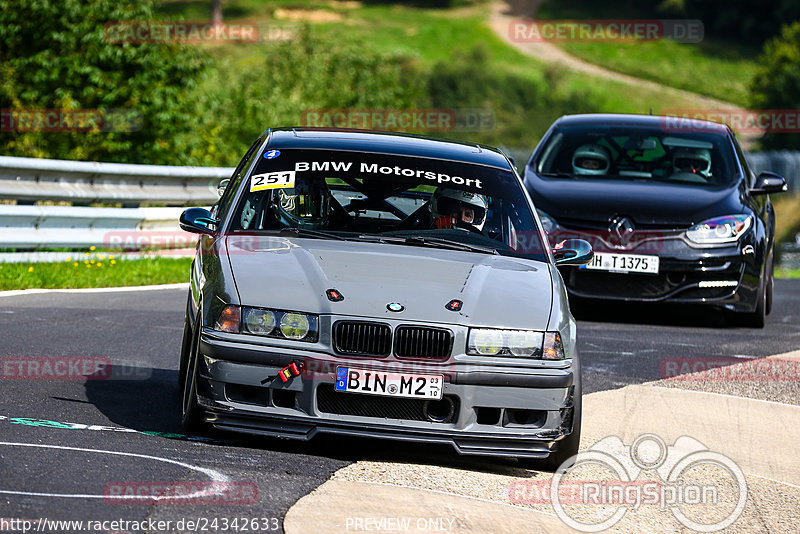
[{"x": 390, "y": 199}]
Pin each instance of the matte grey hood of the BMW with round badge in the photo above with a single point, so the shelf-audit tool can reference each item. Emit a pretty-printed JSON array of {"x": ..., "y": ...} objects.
[{"x": 294, "y": 273}]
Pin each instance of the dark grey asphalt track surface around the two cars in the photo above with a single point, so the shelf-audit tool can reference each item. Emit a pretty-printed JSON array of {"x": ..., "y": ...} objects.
[{"x": 58, "y": 471}]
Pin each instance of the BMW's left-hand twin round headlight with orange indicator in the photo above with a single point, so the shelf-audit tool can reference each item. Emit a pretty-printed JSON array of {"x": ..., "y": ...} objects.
[{"x": 269, "y": 323}]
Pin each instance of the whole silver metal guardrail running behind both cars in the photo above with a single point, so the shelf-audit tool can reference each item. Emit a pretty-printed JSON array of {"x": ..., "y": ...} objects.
[{"x": 29, "y": 227}]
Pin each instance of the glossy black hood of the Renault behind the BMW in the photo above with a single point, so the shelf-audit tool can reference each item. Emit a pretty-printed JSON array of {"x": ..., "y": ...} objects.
[{"x": 647, "y": 203}]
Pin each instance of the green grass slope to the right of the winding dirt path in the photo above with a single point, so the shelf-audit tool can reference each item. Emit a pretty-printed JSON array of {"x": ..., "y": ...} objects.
[{"x": 714, "y": 68}]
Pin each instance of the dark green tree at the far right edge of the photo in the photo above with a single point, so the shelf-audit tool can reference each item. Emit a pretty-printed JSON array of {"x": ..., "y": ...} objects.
[{"x": 777, "y": 83}]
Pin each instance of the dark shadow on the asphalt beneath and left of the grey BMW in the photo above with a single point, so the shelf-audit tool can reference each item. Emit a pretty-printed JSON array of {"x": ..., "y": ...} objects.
[{"x": 148, "y": 400}]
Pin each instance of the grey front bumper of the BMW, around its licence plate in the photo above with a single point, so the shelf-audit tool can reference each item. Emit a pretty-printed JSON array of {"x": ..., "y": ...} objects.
[{"x": 520, "y": 412}]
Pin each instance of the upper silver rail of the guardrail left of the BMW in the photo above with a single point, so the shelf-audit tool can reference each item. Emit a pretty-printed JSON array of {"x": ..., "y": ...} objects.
[{"x": 82, "y": 182}]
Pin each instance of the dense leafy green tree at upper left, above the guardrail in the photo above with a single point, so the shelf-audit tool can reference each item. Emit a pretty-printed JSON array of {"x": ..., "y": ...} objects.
[{"x": 57, "y": 55}]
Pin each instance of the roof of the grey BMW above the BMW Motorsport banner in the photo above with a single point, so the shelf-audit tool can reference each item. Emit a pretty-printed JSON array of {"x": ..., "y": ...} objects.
[{"x": 386, "y": 143}]
